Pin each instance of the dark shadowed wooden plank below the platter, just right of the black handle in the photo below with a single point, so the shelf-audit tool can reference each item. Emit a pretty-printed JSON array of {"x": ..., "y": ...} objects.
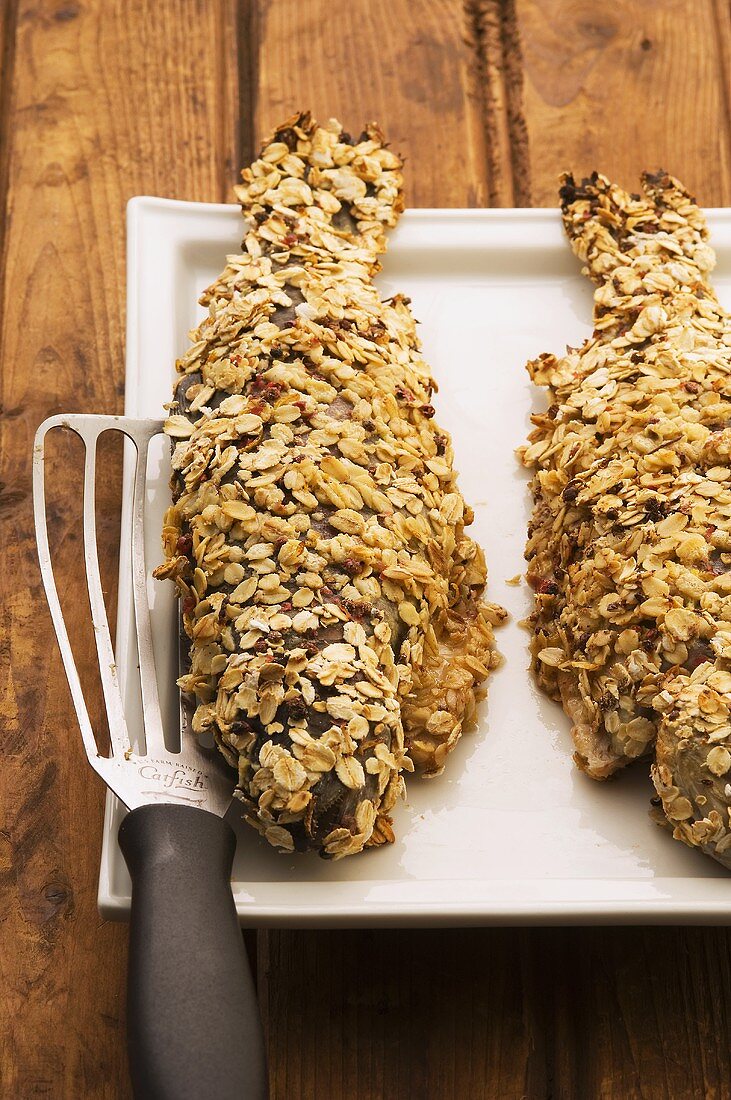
[{"x": 386, "y": 1015}]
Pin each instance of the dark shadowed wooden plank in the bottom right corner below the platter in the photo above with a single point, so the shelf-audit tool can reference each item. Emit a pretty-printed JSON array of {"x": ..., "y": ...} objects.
[{"x": 637, "y": 1014}]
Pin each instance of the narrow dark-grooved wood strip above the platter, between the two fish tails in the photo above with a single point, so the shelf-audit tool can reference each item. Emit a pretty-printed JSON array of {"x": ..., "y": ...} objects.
[{"x": 494, "y": 37}]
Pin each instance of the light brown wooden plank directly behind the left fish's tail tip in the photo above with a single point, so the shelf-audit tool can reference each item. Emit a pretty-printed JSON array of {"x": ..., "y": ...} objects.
[{"x": 406, "y": 64}]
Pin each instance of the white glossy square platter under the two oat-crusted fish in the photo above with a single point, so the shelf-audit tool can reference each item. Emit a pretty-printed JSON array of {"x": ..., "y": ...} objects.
[{"x": 512, "y": 833}]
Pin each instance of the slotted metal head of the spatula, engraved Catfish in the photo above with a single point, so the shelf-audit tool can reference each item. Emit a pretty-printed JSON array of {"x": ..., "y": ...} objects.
[{"x": 194, "y": 776}]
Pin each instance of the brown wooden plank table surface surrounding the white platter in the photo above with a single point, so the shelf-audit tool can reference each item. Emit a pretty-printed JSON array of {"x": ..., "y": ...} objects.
[{"x": 489, "y": 101}]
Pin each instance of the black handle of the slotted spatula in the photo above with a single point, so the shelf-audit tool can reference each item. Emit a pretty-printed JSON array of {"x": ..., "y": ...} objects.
[{"x": 193, "y": 1019}]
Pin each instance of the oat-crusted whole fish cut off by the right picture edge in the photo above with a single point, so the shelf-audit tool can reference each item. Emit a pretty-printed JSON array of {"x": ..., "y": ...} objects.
[{"x": 630, "y": 542}]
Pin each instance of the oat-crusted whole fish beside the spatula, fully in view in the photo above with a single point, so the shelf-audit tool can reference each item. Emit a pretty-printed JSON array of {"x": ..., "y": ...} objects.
[{"x": 318, "y": 540}]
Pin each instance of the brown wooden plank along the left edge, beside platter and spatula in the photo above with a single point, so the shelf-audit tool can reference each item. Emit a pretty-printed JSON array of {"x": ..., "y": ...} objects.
[{"x": 97, "y": 106}]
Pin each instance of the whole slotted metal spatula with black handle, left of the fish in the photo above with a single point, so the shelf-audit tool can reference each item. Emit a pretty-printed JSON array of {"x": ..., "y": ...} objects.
[{"x": 193, "y": 1019}]
